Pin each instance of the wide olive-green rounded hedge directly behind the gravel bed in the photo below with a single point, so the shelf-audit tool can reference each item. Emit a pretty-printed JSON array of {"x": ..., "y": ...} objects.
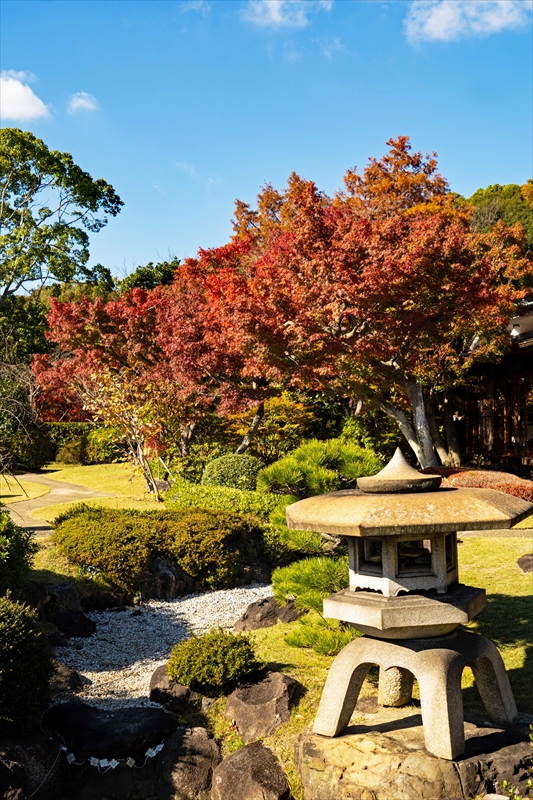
[{"x": 212, "y": 546}]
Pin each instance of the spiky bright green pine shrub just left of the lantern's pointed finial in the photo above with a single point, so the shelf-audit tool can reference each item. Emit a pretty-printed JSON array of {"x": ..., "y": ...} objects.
[{"x": 318, "y": 467}]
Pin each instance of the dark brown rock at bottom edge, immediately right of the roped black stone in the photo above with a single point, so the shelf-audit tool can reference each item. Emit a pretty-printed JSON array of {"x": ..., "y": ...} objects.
[{"x": 185, "y": 768}]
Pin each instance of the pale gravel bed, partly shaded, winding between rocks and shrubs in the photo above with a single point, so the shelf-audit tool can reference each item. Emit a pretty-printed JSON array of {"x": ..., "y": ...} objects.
[{"x": 117, "y": 661}]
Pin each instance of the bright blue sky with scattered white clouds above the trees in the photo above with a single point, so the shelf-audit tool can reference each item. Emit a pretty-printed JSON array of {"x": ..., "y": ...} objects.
[{"x": 185, "y": 106}]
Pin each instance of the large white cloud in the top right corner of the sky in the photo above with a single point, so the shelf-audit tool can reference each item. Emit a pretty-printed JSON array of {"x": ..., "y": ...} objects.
[{"x": 446, "y": 20}]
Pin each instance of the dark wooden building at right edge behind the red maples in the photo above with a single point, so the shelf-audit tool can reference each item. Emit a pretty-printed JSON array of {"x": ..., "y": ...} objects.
[{"x": 499, "y": 410}]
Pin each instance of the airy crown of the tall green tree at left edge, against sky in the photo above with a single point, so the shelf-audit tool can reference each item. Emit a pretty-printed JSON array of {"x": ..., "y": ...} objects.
[{"x": 48, "y": 207}]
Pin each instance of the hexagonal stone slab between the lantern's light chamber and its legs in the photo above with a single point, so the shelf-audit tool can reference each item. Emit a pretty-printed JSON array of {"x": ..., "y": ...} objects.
[{"x": 409, "y": 616}]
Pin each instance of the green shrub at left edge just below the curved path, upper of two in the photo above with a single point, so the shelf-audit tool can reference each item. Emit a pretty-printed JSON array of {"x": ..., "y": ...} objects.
[{"x": 17, "y": 549}]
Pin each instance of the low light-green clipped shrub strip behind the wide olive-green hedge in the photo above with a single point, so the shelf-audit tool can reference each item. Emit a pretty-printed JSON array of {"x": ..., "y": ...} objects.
[{"x": 220, "y": 498}]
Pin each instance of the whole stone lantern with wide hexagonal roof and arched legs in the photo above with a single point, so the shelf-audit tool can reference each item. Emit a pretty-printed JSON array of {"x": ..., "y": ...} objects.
[{"x": 405, "y": 598}]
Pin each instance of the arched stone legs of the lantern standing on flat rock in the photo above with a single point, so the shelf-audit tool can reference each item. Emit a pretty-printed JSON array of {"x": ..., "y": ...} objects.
[{"x": 437, "y": 664}]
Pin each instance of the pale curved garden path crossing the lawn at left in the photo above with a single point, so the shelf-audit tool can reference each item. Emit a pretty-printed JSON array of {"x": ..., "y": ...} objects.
[{"x": 60, "y": 492}]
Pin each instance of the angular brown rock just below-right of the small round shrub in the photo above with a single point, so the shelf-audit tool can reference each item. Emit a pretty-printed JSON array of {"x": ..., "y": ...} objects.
[{"x": 258, "y": 709}]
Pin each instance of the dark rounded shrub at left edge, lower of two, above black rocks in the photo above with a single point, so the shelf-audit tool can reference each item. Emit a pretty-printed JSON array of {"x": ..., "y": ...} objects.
[{"x": 25, "y": 660}]
